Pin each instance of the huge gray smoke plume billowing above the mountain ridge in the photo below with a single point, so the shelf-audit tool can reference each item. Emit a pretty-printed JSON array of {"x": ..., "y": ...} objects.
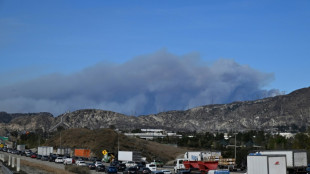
[{"x": 146, "y": 84}]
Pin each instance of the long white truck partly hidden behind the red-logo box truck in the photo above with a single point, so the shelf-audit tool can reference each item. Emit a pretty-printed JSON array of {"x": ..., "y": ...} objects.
[{"x": 296, "y": 160}]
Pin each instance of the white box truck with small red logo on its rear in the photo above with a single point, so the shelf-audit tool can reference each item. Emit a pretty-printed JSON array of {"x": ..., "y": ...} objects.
[{"x": 266, "y": 164}]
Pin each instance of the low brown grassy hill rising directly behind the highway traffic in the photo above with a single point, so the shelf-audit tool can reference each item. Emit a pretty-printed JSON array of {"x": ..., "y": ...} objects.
[{"x": 107, "y": 139}]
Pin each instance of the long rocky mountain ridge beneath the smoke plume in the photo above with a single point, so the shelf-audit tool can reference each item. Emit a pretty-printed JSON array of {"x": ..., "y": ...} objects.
[{"x": 291, "y": 111}]
